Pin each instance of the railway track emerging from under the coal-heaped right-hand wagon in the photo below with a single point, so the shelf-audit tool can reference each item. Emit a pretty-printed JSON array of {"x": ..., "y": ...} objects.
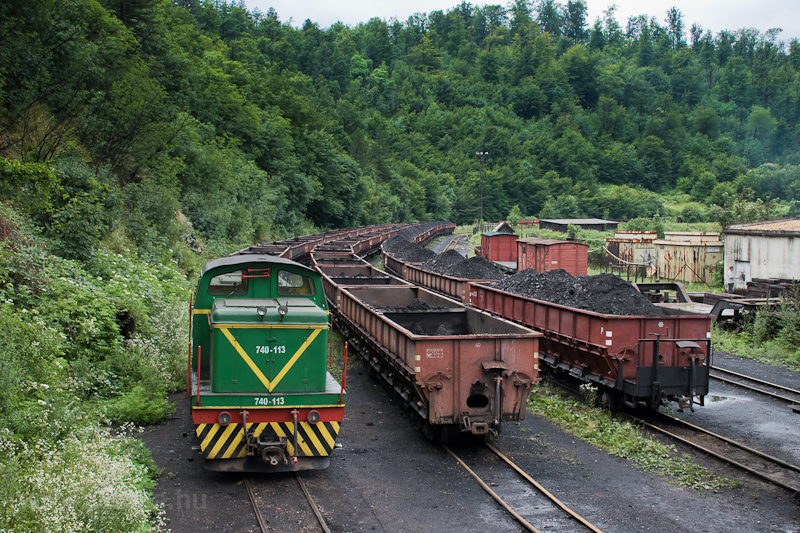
[{"x": 759, "y": 464}]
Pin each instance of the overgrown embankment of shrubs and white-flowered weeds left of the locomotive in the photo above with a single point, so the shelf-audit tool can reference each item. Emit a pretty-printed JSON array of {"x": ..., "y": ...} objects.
[{"x": 88, "y": 350}]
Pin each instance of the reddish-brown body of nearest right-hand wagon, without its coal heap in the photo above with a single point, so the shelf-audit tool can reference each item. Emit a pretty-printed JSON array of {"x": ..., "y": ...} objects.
[{"x": 631, "y": 358}]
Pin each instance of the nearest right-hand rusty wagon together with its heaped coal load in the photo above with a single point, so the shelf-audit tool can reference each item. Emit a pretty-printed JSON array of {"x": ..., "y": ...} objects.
[{"x": 602, "y": 330}]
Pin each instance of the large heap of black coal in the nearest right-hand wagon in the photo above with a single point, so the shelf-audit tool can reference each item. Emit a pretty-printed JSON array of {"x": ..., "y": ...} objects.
[{"x": 603, "y": 293}]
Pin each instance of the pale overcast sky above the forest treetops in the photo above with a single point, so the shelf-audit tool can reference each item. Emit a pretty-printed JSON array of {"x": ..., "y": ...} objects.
[{"x": 714, "y": 15}]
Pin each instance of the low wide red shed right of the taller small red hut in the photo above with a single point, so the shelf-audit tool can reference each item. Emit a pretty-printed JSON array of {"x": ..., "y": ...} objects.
[{"x": 551, "y": 254}]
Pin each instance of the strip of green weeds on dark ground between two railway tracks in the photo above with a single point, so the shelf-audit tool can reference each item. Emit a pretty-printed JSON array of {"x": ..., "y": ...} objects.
[{"x": 622, "y": 438}]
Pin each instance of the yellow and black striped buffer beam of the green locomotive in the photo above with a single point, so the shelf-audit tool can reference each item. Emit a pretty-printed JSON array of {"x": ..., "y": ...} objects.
[{"x": 228, "y": 442}]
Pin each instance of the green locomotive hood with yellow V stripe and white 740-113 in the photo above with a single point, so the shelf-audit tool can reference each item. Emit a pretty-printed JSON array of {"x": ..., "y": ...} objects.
[{"x": 276, "y": 345}]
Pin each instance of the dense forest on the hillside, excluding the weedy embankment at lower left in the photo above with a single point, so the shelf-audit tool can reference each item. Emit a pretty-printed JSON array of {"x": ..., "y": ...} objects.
[{"x": 254, "y": 130}]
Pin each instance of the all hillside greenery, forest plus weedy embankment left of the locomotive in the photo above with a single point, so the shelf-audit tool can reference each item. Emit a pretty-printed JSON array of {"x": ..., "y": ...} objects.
[{"x": 139, "y": 138}]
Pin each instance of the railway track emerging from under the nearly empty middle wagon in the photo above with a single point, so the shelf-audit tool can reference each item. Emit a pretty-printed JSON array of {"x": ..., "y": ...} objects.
[{"x": 518, "y": 493}]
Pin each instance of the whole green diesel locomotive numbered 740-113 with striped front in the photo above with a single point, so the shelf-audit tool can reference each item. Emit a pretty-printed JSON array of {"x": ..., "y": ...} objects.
[{"x": 261, "y": 395}]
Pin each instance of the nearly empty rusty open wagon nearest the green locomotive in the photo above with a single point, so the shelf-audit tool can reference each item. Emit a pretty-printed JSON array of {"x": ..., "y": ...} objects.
[{"x": 461, "y": 369}]
